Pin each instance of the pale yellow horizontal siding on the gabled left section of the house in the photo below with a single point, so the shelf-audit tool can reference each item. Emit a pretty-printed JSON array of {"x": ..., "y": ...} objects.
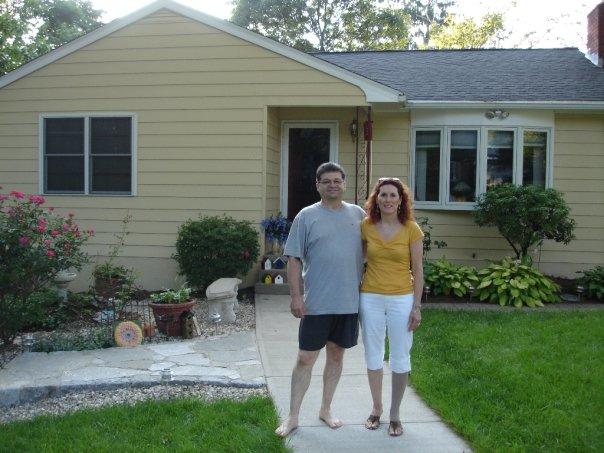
[{"x": 200, "y": 96}]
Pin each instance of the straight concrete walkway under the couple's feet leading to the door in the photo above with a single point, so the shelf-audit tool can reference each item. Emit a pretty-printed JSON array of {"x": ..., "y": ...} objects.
[{"x": 276, "y": 334}]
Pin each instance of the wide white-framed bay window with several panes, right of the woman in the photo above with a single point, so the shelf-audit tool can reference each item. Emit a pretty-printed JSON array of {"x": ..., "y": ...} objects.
[{"x": 452, "y": 165}]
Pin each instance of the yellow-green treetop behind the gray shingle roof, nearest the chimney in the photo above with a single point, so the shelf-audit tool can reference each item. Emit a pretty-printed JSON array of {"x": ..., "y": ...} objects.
[{"x": 467, "y": 33}]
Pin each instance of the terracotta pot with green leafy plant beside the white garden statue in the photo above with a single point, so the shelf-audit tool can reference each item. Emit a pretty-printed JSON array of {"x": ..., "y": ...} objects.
[{"x": 168, "y": 306}]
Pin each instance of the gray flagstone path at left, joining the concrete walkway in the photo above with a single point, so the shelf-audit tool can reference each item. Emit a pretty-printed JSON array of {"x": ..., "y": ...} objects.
[{"x": 222, "y": 360}]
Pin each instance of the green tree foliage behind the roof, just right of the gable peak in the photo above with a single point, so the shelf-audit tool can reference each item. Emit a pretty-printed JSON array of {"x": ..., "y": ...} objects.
[{"x": 325, "y": 25}]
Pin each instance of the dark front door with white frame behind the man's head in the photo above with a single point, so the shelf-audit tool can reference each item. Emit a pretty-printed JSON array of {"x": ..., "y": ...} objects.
[{"x": 306, "y": 146}]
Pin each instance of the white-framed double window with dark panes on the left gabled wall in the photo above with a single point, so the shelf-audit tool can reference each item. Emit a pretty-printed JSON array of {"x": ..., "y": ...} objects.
[{"x": 88, "y": 154}]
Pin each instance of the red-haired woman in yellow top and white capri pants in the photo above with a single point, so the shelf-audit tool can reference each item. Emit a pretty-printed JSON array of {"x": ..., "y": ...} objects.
[{"x": 391, "y": 292}]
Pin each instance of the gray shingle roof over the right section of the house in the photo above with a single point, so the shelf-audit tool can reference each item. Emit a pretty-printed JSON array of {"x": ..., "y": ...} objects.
[{"x": 480, "y": 75}]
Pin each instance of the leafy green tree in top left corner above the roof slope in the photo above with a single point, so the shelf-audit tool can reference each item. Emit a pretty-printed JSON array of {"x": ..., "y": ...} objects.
[{"x": 30, "y": 28}]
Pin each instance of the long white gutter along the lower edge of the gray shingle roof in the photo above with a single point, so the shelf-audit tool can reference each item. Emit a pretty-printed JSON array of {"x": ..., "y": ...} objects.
[{"x": 558, "y": 105}]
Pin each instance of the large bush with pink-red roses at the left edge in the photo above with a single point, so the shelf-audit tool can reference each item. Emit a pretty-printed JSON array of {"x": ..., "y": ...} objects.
[{"x": 35, "y": 244}]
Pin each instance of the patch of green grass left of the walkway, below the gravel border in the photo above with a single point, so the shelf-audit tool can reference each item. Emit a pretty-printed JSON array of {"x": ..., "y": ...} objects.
[{"x": 152, "y": 426}]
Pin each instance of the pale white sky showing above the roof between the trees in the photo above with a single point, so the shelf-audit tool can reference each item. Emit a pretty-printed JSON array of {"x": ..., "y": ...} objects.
[{"x": 549, "y": 23}]
